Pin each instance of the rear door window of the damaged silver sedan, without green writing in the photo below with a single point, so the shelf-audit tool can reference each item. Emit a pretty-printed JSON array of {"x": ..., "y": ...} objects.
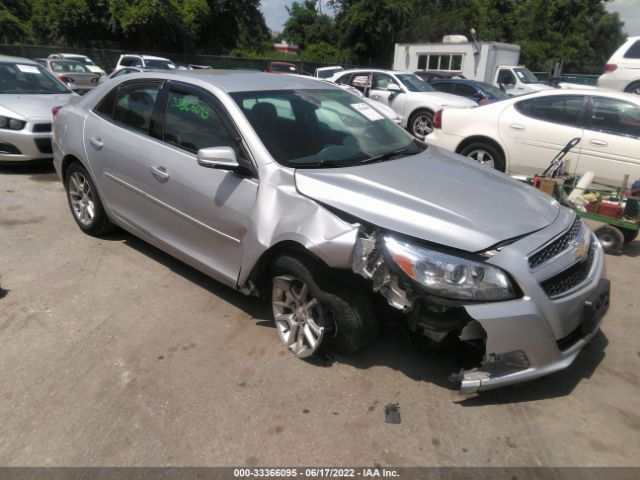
[{"x": 134, "y": 105}]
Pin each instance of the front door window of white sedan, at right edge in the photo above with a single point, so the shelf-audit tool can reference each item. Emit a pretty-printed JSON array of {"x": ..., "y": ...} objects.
[{"x": 616, "y": 117}]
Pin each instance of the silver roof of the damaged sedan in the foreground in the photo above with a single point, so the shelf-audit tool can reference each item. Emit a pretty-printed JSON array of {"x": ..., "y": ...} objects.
[{"x": 241, "y": 80}]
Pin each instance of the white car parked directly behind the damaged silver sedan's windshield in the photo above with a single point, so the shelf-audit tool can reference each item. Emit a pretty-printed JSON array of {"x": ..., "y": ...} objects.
[{"x": 414, "y": 100}]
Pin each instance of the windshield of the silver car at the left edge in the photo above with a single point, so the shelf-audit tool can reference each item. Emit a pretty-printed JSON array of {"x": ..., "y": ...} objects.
[{"x": 28, "y": 79}]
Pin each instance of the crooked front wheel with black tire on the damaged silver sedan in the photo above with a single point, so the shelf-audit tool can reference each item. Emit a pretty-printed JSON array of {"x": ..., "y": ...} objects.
[{"x": 342, "y": 307}]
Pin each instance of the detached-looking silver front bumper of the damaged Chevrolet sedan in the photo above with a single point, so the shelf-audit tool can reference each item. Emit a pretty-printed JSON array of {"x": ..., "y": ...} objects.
[{"x": 537, "y": 334}]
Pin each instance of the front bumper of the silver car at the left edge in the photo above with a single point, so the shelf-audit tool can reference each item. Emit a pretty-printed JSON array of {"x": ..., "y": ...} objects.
[{"x": 33, "y": 142}]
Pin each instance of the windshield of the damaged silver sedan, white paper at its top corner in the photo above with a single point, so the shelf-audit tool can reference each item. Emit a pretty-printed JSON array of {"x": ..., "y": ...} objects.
[{"x": 321, "y": 128}]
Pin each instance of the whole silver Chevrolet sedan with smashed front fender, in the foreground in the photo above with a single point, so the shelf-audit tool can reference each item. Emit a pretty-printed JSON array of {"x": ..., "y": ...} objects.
[{"x": 278, "y": 186}]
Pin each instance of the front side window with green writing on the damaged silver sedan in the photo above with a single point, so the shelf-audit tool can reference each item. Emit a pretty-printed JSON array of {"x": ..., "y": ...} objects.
[{"x": 192, "y": 123}]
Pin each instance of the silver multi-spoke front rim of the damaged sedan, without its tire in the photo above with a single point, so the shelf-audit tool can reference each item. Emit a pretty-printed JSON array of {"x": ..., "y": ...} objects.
[{"x": 298, "y": 315}]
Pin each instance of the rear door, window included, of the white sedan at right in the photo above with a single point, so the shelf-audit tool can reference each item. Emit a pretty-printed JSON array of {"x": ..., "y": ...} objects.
[{"x": 534, "y": 130}]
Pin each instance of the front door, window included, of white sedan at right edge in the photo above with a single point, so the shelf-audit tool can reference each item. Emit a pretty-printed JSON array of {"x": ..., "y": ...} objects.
[{"x": 611, "y": 145}]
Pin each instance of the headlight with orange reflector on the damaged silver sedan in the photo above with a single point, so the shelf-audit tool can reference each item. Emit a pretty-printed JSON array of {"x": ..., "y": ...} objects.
[{"x": 449, "y": 276}]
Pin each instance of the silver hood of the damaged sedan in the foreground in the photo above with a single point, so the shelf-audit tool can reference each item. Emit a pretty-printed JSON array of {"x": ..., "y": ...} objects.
[{"x": 437, "y": 196}]
